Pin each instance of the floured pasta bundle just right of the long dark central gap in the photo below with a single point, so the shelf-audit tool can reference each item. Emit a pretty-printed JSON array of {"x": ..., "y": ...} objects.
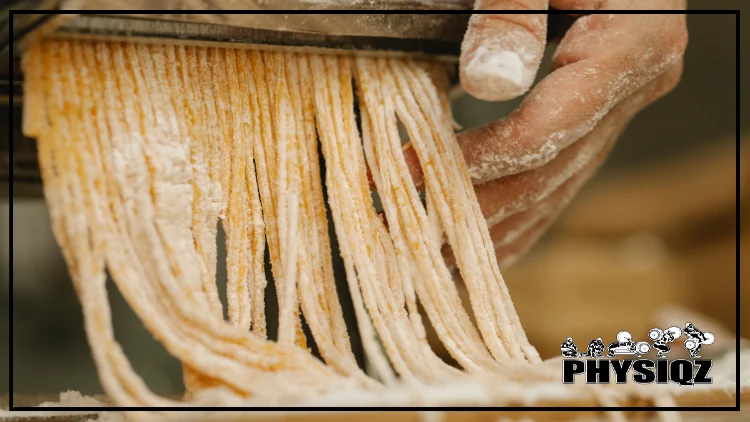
[{"x": 366, "y": 248}]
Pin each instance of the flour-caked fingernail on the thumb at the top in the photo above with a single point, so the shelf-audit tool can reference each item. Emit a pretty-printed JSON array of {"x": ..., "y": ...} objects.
[{"x": 497, "y": 74}]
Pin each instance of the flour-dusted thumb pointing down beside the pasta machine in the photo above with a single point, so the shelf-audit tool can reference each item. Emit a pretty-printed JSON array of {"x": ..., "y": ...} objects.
[{"x": 501, "y": 53}]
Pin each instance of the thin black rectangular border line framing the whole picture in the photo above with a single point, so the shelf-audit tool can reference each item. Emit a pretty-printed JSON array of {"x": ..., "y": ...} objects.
[{"x": 734, "y": 12}]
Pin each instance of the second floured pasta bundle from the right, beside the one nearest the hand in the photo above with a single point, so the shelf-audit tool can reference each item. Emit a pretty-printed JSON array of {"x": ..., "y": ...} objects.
[{"x": 409, "y": 226}]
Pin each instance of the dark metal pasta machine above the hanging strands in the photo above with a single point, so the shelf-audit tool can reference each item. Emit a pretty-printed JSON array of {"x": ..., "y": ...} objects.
[{"x": 380, "y": 27}]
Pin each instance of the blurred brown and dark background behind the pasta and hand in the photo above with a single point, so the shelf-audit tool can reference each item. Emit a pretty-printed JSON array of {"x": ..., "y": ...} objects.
[{"x": 656, "y": 227}]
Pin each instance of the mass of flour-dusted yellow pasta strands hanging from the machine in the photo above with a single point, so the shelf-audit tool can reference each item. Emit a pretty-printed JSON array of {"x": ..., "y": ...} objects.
[{"x": 145, "y": 148}]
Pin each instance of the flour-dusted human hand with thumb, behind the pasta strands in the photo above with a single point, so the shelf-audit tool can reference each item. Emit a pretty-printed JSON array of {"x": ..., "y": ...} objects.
[{"x": 527, "y": 167}]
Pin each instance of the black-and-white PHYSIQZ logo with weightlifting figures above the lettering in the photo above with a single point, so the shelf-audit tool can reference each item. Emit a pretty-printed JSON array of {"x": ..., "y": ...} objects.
[{"x": 597, "y": 370}]
